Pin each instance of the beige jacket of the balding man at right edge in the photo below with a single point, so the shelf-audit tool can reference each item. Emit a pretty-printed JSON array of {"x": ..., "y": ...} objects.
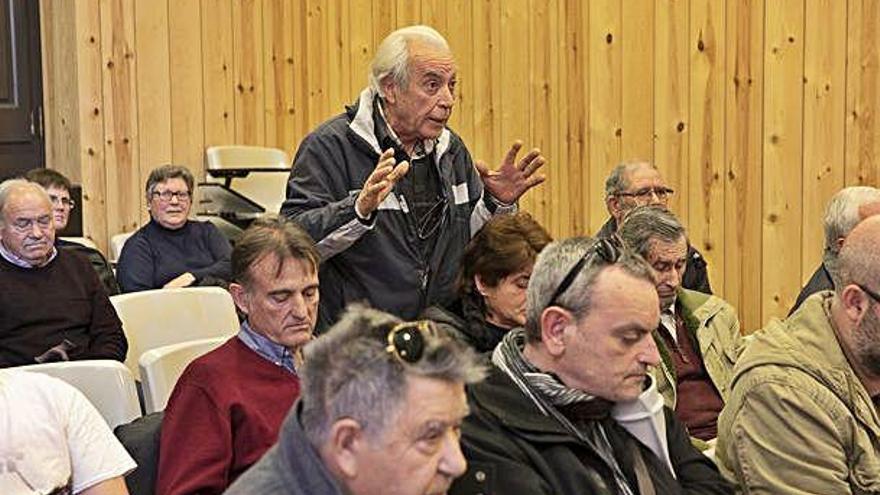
[{"x": 798, "y": 419}]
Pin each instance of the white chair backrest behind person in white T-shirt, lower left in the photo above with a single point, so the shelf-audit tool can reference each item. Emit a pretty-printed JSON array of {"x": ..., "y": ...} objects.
[{"x": 108, "y": 385}]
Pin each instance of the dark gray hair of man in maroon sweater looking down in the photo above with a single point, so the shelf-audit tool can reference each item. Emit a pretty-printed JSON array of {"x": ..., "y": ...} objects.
[{"x": 645, "y": 224}]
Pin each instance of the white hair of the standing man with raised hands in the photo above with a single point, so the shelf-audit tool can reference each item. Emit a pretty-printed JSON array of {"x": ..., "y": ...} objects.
[{"x": 392, "y": 56}]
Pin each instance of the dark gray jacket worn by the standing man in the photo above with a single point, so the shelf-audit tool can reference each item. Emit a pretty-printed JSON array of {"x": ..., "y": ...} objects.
[{"x": 379, "y": 261}]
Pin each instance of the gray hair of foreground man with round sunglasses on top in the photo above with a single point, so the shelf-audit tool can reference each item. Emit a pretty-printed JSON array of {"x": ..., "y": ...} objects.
[{"x": 348, "y": 373}]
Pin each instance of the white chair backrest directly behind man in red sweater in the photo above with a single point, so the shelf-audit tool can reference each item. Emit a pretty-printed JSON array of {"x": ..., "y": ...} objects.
[{"x": 162, "y": 366}]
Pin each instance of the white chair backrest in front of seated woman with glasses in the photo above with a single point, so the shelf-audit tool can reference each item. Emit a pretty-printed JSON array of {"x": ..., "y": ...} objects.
[{"x": 155, "y": 318}]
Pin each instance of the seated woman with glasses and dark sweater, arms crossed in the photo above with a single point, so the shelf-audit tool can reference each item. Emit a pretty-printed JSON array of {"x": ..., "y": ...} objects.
[{"x": 173, "y": 250}]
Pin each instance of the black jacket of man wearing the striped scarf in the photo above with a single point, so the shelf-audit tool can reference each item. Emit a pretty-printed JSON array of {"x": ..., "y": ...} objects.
[{"x": 512, "y": 448}]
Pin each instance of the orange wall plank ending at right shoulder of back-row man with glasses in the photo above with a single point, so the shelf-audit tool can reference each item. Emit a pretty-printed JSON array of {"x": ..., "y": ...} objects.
[{"x": 706, "y": 144}]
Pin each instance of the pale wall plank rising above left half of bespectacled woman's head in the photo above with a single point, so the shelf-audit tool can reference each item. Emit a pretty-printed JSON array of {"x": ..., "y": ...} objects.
[{"x": 154, "y": 88}]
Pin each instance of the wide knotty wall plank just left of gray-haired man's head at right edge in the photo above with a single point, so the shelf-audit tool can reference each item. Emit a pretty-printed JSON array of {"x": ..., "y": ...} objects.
[{"x": 783, "y": 155}]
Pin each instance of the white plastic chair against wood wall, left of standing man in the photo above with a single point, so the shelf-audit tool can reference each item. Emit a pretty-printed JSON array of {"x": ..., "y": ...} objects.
[{"x": 266, "y": 188}]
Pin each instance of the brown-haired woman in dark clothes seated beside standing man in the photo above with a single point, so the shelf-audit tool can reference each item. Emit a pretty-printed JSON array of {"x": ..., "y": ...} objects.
[{"x": 492, "y": 281}]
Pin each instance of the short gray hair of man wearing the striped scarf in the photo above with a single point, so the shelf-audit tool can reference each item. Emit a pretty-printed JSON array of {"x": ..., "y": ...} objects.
[{"x": 557, "y": 260}]
